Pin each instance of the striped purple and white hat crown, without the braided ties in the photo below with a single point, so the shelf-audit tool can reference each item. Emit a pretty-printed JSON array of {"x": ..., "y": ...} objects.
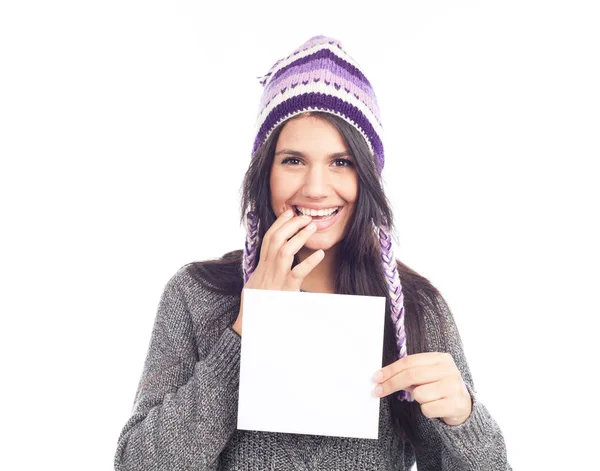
[{"x": 320, "y": 76}]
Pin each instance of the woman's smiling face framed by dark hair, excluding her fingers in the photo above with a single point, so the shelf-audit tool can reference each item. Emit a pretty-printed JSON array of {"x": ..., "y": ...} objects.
[{"x": 313, "y": 170}]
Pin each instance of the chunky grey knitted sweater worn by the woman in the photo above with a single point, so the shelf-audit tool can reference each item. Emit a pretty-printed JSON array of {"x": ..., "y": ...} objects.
[{"x": 185, "y": 410}]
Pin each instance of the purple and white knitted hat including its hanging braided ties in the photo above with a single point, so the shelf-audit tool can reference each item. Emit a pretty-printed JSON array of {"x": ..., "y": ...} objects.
[{"x": 321, "y": 76}]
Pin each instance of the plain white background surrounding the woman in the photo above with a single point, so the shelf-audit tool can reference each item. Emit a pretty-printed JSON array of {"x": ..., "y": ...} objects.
[{"x": 125, "y": 131}]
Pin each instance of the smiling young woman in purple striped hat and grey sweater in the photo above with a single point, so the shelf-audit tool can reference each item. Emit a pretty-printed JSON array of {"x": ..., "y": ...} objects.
[{"x": 318, "y": 220}]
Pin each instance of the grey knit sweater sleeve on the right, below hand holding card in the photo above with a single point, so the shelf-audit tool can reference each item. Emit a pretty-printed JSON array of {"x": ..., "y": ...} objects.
[{"x": 478, "y": 443}]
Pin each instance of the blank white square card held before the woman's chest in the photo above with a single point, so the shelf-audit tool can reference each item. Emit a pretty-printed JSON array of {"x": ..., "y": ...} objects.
[{"x": 307, "y": 362}]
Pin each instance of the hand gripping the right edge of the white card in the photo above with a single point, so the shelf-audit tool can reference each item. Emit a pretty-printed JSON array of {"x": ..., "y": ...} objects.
[{"x": 434, "y": 381}]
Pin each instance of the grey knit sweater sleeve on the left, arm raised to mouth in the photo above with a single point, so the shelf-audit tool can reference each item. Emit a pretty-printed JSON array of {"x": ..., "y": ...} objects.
[{"x": 185, "y": 409}]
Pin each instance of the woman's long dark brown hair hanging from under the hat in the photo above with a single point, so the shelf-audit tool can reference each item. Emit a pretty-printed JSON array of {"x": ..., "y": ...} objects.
[{"x": 359, "y": 271}]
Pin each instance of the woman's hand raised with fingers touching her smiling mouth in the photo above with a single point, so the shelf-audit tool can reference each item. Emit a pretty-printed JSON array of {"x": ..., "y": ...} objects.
[{"x": 281, "y": 242}]
